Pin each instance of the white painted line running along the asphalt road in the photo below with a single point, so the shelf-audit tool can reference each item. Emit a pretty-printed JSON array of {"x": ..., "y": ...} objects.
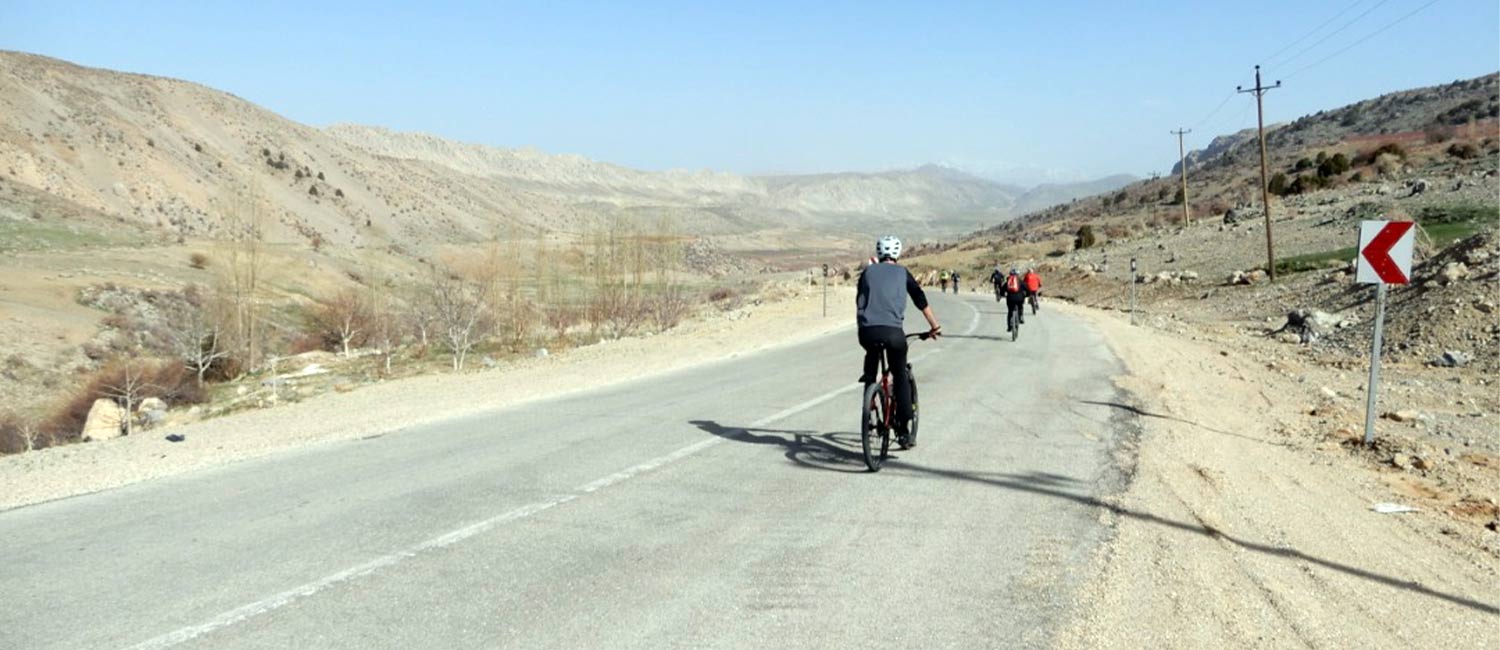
[{"x": 448, "y": 540}]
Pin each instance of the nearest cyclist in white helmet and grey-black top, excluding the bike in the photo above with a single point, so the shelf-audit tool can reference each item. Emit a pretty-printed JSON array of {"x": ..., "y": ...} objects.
[{"x": 881, "y": 313}]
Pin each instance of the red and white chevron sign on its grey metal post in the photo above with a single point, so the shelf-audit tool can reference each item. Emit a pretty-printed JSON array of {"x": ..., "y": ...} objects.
[{"x": 1384, "y": 259}]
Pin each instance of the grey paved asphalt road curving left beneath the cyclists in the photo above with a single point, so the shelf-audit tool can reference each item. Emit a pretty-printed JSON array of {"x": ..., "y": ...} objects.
[{"x": 719, "y": 507}]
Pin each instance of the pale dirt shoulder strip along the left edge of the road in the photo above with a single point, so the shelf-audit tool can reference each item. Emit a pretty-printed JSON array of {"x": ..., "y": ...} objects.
[{"x": 80, "y": 469}]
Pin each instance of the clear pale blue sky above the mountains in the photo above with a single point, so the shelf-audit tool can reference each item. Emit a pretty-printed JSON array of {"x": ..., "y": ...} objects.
[{"x": 1082, "y": 88}]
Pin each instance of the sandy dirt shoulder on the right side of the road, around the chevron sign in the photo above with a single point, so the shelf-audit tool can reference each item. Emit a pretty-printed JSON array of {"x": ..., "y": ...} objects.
[{"x": 1246, "y": 528}]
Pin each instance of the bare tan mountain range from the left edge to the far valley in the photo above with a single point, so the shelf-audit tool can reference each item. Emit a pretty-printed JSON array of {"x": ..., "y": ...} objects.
[{"x": 169, "y": 154}]
